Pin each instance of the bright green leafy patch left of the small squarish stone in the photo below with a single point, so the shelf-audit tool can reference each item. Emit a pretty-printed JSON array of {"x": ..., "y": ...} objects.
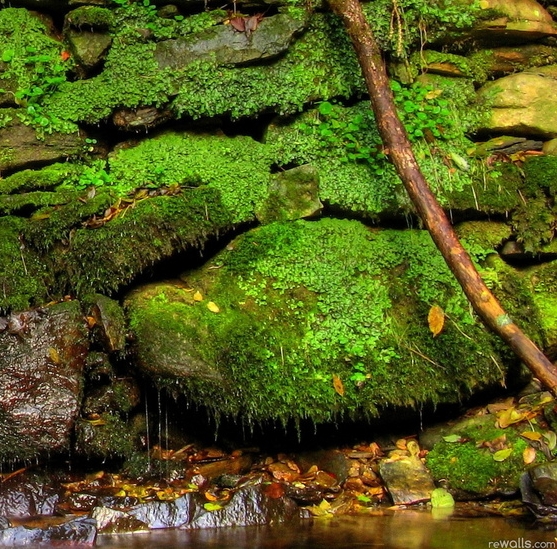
[{"x": 237, "y": 167}]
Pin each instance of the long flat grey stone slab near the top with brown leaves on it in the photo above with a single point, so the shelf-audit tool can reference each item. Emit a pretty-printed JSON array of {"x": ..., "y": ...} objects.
[{"x": 228, "y": 46}]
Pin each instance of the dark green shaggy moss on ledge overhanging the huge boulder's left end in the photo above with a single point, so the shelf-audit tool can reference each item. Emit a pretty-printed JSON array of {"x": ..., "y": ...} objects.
[{"x": 104, "y": 259}]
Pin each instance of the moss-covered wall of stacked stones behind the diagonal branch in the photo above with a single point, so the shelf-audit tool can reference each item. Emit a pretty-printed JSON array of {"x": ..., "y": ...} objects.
[{"x": 133, "y": 134}]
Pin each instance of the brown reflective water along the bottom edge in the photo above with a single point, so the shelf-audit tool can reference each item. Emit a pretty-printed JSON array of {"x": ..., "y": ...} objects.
[{"x": 404, "y": 530}]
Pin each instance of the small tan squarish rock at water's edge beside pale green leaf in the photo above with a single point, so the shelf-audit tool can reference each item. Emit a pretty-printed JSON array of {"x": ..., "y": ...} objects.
[{"x": 407, "y": 480}]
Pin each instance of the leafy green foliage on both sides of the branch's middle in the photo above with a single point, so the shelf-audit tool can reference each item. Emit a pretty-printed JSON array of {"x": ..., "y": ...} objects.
[{"x": 343, "y": 144}]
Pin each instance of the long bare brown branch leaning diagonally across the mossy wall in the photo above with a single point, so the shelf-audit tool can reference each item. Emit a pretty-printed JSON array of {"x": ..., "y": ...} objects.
[{"x": 433, "y": 216}]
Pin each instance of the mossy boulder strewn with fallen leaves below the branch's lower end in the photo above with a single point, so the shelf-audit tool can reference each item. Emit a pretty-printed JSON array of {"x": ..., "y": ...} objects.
[{"x": 485, "y": 454}]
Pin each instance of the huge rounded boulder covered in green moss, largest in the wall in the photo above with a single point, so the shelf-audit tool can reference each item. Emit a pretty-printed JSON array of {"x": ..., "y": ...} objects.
[{"x": 314, "y": 320}]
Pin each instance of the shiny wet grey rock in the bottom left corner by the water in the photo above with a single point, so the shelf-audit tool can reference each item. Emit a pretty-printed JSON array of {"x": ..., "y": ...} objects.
[{"x": 77, "y": 531}]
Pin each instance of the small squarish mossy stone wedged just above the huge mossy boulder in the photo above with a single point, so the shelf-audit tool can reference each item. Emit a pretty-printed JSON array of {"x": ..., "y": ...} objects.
[{"x": 293, "y": 194}]
